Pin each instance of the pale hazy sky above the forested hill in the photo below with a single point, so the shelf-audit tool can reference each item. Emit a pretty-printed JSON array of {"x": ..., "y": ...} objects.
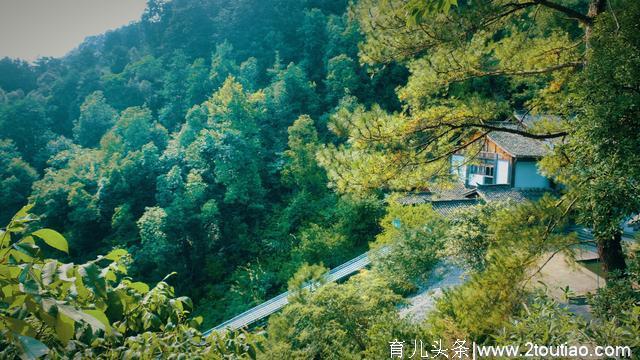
[{"x": 33, "y": 28}]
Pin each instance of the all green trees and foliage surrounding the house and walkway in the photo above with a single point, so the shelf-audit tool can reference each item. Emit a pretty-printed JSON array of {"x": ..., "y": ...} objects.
[{"x": 243, "y": 147}]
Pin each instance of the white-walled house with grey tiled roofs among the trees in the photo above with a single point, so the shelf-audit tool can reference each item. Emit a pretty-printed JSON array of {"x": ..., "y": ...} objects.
[{"x": 504, "y": 169}]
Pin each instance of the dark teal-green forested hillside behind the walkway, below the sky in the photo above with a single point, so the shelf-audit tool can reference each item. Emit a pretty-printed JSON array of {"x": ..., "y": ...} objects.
[{"x": 189, "y": 138}]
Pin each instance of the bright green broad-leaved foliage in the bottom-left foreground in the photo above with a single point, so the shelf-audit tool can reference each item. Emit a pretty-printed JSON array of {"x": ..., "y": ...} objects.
[{"x": 92, "y": 310}]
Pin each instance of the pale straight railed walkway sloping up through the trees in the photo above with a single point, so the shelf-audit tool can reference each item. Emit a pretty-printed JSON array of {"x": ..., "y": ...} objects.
[{"x": 270, "y": 306}]
